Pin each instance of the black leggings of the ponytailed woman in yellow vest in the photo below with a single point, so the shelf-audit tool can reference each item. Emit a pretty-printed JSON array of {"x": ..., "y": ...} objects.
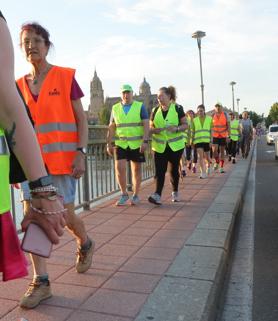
[{"x": 161, "y": 162}]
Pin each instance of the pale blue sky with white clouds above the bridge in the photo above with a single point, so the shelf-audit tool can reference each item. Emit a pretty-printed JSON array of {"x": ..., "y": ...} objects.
[{"x": 126, "y": 41}]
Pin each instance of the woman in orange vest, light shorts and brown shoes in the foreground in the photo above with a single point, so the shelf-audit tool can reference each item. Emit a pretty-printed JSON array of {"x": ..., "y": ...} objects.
[{"x": 53, "y": 98}]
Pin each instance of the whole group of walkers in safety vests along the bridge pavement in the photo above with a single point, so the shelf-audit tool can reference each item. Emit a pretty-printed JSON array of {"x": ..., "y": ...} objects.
[{"x": 53, "y": 155}]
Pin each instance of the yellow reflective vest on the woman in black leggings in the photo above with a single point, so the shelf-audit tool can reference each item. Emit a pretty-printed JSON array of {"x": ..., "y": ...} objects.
[{"x": 174, "y": 140}]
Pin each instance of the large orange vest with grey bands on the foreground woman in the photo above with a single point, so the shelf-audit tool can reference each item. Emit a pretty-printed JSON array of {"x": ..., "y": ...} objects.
[{"x": 54, "y": 120}]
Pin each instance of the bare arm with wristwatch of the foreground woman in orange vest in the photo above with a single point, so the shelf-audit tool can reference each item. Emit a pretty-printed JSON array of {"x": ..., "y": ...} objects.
[{"x": 78, "y": 166}]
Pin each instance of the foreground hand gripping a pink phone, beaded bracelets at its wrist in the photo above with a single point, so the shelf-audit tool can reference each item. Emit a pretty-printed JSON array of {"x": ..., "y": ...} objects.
[{"x": 53, "y": 224}]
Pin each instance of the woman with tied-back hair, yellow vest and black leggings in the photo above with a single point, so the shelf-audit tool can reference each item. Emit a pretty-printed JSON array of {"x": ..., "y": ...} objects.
[{"x": 167, "y": 124}]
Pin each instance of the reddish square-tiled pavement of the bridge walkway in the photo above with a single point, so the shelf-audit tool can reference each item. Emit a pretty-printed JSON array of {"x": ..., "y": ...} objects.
[{"x": 135, "y": 245}]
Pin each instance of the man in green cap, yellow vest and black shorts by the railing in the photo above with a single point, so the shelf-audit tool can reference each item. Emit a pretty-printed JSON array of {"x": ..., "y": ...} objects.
[{"x": 129, "y": 125}]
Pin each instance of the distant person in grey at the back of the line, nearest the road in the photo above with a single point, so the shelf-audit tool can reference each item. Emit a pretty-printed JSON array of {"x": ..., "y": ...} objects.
[{"x": 246, "y": 129}]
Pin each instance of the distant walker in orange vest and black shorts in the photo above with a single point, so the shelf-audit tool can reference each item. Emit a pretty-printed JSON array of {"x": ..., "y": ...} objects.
[{"x": 220, "y": 133}]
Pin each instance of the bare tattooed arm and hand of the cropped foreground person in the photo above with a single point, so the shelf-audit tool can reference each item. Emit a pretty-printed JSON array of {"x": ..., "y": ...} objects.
[{"x": 23, "y": 141}]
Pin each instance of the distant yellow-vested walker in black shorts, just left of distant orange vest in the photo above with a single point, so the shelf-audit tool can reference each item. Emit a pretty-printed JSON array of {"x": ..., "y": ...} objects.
[{"x": 201, "y": 135}]
